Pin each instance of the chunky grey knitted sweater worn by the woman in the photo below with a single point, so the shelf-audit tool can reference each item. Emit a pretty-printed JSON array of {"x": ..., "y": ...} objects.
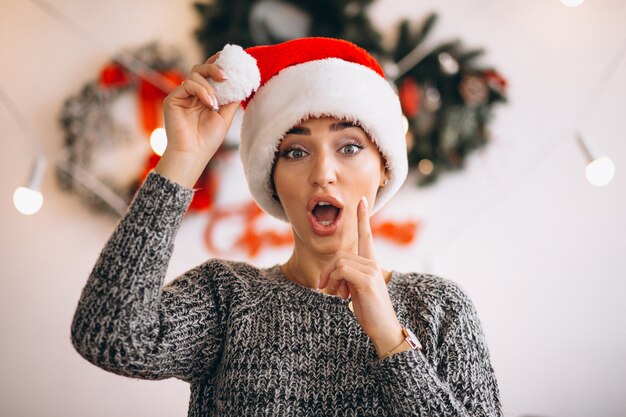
[{"x": 250, "y": 342}]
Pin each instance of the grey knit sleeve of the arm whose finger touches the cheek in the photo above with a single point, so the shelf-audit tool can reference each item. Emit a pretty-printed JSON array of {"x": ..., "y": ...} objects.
[{"x": 462, "y": 384}]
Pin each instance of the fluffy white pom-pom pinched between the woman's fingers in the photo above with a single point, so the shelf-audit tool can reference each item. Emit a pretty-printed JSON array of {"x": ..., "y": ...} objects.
[{"x": 243, "y": 75}]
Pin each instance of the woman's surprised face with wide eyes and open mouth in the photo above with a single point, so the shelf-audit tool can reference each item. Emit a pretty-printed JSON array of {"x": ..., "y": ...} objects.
[{"x": 323, "y": 168}]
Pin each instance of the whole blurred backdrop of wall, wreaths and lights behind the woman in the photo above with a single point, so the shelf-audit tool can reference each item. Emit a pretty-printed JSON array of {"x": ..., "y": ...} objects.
[{"x": 506, "y": 102}]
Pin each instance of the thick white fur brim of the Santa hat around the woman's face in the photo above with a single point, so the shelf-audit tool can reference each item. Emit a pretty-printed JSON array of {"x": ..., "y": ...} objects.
[{"x": 326, "y": 87}]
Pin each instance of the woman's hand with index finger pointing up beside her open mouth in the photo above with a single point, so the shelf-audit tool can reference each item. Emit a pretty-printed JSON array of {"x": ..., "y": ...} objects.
[{"x": 360, "y": 277}]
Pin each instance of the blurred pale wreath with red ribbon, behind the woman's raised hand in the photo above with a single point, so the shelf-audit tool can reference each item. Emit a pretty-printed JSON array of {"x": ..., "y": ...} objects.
[{"x": 103, "y": 148}]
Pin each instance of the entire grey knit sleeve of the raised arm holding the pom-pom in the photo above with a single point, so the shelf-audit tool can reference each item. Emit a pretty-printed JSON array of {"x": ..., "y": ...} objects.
[{"x": 125, "y": 322}]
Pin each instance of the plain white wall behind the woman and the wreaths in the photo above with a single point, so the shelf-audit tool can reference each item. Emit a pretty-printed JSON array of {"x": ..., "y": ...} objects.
[{"x": 540, "y": 251}]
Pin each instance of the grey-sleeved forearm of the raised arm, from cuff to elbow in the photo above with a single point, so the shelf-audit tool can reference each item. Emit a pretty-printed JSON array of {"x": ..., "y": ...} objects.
[{"x": 117, "y": 323}]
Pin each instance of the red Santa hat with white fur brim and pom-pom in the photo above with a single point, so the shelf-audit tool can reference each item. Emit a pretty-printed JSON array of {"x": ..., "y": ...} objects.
[{"x": 284, "y": 84}]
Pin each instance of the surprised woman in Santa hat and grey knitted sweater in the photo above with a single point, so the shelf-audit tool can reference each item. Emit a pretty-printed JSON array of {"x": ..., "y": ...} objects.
[{"x": 329, "y": 332}]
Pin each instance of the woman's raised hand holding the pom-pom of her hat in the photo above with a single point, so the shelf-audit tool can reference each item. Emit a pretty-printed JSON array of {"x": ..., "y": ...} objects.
[{"x": 195, "y": 129}]
